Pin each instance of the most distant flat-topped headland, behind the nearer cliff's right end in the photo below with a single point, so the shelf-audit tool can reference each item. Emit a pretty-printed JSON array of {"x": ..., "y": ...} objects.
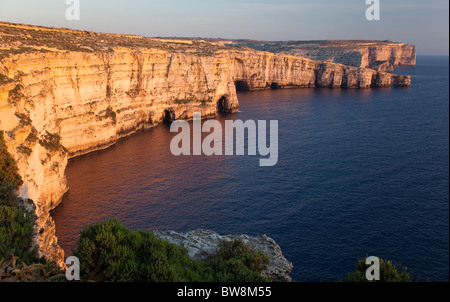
[{"x": 379, "y": 55}]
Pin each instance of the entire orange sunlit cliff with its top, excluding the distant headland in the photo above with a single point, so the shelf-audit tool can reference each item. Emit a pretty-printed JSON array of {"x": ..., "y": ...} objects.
[{"x": 64, "y": 93}]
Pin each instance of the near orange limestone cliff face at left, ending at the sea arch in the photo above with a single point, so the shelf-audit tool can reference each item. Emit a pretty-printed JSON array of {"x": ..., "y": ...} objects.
[{"x": 61, "y": 105}]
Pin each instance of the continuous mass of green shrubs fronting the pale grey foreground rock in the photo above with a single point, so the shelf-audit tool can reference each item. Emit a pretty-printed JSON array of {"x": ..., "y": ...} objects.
[{"x": 110, "y": 252}]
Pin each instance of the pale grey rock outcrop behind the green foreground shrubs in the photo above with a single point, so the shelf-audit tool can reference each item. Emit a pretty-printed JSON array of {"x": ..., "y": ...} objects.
[{"x": 202, "y": 244}]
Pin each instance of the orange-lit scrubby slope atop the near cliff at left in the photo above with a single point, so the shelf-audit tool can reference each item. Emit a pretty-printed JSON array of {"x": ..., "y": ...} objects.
[{"x": 20, "y": 38}]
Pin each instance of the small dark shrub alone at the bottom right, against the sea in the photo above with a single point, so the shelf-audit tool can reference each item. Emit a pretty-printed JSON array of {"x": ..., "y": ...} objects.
[{"x": 388, "y": 272}]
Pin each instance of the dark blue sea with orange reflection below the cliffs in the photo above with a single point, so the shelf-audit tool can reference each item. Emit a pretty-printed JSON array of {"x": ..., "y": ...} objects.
[{"x": 359, "y": 172}]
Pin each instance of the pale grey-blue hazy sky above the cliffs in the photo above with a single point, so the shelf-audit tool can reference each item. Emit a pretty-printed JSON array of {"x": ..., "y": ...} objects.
[{"x": 424, "y": 23}]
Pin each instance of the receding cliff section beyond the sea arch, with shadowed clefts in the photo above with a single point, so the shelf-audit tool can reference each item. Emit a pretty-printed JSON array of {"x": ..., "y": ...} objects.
[{"x": 262, "y": 70}]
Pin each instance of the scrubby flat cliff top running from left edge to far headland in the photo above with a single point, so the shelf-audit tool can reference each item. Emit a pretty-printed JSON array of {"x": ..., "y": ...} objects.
[{"x": 19, "y": 38}]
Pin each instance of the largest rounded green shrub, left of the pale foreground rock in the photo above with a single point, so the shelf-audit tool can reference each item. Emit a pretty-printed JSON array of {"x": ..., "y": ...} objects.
[{"x": 110, "y": 252}]
